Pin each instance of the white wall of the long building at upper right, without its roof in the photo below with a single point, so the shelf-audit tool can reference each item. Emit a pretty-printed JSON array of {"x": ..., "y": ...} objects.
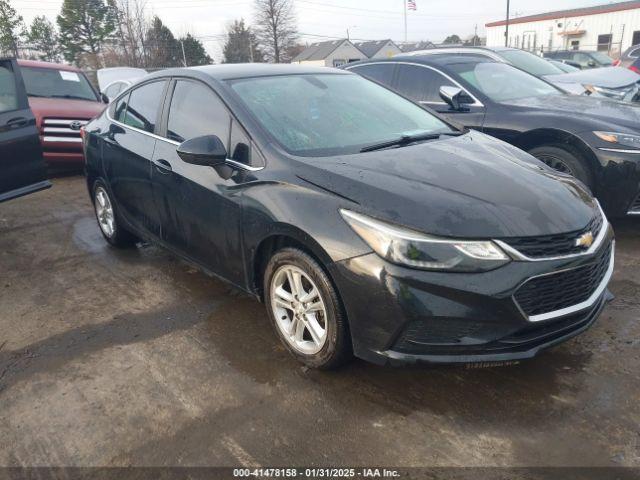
[{"x": 547, "y": 34}]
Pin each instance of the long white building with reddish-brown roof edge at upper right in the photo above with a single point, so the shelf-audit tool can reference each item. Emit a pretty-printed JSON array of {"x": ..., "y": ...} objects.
[{"x": 609, "y": 28}]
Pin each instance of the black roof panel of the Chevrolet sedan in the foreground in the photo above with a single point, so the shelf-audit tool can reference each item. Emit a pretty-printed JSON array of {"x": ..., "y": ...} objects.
[{"x": 246, "y": 70}]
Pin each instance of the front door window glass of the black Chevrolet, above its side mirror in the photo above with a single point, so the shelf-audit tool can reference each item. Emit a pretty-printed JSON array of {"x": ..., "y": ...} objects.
[{"x": 196, "y": 111}]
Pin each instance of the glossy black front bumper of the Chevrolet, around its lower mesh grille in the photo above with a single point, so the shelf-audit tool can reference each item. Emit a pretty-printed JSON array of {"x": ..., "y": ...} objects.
[{"x": 400, "y": 315}]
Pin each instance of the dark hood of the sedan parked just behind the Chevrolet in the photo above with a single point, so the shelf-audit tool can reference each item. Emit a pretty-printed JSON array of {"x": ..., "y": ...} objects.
[{"x": 588, "y": 110}]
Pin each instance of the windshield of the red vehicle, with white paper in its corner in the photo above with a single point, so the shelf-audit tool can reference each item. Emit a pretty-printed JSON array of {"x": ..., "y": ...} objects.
[{"x": 51, "y": 83}]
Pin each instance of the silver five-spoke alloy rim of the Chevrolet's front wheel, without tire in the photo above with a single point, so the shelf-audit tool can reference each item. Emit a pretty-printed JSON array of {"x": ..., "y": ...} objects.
[{"x": 299, "y": 309}]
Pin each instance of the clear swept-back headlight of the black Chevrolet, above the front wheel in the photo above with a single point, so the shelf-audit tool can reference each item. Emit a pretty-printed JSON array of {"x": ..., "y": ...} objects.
[{"x": 417, "y": 250}]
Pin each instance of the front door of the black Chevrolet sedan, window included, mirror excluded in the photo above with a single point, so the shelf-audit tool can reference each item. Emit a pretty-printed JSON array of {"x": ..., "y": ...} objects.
[{"x": 199, "y": 206}]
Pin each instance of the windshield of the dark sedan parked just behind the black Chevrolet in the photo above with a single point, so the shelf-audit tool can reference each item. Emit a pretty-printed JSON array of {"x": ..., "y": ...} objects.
[{"x": 501, "y": 82}]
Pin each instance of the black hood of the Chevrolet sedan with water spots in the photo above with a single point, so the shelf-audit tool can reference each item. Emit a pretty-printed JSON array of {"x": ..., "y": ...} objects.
[{"x": 472, "y": 186}]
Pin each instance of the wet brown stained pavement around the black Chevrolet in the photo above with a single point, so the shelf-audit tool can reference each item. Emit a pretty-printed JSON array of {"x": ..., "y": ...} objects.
[{"x": 134, "y": 357}]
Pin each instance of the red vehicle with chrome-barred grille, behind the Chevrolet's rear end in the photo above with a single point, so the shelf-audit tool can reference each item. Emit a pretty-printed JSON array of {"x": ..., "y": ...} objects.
[{"x": 62, "y": 100}]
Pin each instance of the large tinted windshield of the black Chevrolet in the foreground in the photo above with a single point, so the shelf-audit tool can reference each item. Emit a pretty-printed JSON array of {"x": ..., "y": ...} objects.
[{"x": 332, "y": 114}]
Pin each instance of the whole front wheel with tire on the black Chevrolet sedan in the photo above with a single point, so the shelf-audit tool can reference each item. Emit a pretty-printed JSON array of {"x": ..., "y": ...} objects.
[{"x": 313, "y": 328}]
